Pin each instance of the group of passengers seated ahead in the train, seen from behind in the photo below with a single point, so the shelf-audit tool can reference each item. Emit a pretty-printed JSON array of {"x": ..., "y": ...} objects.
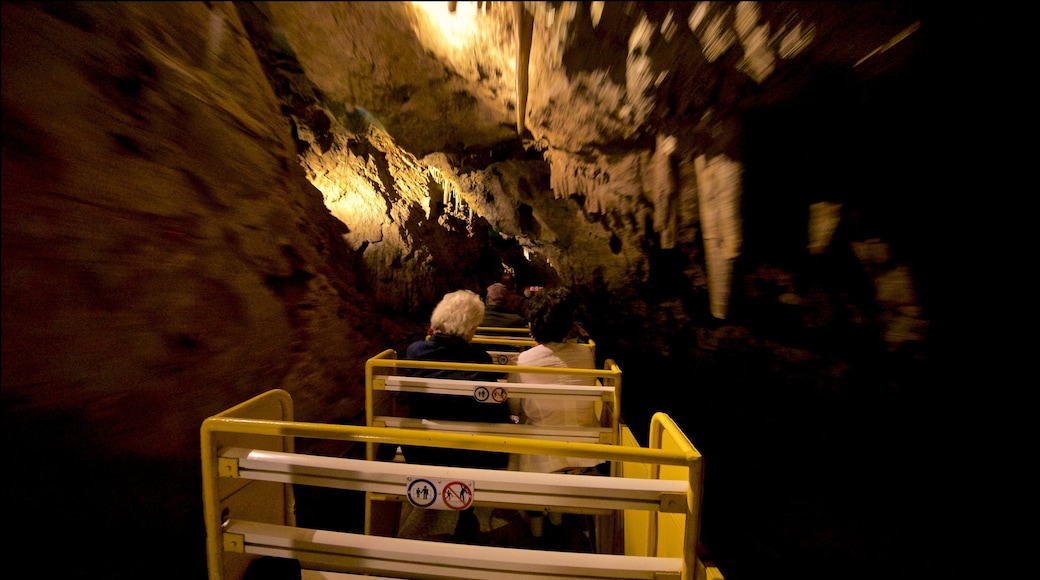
[{"x": 551, "y": 317}]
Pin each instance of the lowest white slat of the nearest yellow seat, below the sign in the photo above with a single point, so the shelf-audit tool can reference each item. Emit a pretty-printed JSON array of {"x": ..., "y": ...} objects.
[{"x": 417, "y": 559}]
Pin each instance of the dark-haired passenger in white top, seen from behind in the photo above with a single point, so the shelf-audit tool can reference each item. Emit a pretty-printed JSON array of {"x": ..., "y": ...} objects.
[{"x": 551, "y": 313}]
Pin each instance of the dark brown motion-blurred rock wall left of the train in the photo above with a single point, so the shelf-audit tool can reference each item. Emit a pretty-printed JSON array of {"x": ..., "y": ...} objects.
[{"x": 165, "y": 258}]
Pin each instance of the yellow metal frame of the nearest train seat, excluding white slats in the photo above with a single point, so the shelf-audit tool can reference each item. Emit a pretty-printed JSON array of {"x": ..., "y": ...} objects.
[{"x": 266, "y": 423}]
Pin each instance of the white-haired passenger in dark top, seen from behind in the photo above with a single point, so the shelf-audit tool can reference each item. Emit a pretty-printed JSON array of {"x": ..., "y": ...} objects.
[{"x": 452, "y": 329}]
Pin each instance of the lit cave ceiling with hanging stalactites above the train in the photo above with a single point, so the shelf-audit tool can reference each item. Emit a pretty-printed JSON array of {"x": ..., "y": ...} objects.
[{"x": 645, "y": 126}]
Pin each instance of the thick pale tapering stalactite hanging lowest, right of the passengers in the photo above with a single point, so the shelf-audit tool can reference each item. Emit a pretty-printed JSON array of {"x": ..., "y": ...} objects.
[{"x": 719, "y": 187}]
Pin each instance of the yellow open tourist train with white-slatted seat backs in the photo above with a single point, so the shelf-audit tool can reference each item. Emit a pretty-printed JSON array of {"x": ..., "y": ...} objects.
[{"x": 646, "y": 514}]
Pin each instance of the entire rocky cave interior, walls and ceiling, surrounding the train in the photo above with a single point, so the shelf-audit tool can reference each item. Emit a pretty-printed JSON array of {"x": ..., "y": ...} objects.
[{"x": 206, "y": 201}]
